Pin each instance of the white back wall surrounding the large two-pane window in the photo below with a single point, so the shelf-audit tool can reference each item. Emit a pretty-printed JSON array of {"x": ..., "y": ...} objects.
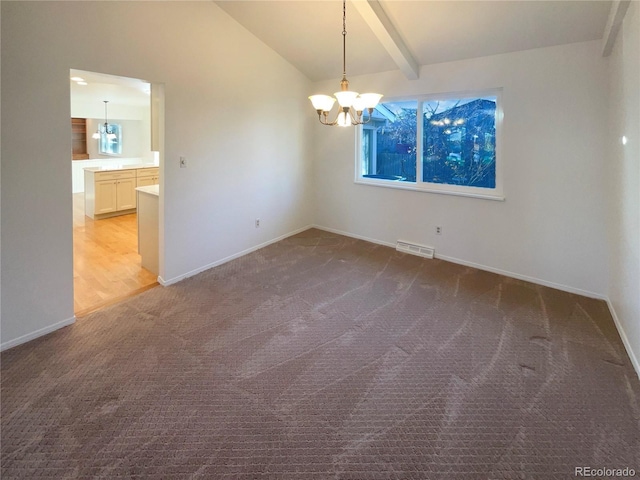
[{"x": 550, "y": 228}]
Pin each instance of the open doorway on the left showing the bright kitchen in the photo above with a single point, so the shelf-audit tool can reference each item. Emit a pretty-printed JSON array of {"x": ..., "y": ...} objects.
[{"x": 118, "y": 158}]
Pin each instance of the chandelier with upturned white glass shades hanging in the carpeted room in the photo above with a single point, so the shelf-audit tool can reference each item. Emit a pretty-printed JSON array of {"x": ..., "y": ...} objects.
[{"x": 351, "y": 104}]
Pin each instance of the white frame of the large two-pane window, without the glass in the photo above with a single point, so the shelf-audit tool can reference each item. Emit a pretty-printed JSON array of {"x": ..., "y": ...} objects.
[{"x": 496, "y": 193}]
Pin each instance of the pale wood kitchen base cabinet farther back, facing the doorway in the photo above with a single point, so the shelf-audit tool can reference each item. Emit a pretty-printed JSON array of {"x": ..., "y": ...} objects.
[{"x": 109, "y": 193}]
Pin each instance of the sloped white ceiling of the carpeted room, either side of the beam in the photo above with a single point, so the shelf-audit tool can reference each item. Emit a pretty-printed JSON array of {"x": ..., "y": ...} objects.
[{"x": 308, "y": 33}]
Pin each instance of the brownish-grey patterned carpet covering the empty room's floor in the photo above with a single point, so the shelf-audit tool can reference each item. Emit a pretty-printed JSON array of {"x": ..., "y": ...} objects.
[{"x": 326, "y": 357}]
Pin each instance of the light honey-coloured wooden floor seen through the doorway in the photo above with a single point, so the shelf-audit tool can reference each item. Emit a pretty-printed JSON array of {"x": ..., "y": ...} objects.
[{"x": 106, "y": 264}]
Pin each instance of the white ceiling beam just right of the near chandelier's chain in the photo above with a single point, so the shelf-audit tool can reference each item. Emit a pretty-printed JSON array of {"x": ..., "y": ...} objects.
[{"x": 383, "y": 29}]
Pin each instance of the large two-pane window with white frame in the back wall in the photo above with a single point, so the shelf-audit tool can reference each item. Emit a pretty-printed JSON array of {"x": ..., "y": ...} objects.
[{"x": 452, "y": 146}]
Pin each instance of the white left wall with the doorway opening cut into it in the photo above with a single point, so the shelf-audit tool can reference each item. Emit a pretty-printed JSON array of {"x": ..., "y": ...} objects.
[{"x": 234, "y": 108}]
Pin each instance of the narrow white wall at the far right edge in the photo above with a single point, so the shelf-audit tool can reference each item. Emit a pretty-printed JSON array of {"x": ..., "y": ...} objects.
[{"x": 624, "y": 165}]
